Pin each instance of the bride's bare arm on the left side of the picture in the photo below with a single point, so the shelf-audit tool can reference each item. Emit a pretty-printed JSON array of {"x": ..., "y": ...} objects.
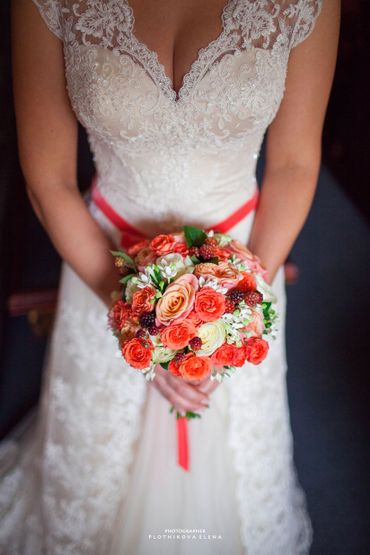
[{"x": 47, "y": 144}]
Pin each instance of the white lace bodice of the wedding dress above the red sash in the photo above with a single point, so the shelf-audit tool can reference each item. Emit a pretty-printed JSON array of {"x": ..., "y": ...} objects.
[{"x": 163, "y": 157}]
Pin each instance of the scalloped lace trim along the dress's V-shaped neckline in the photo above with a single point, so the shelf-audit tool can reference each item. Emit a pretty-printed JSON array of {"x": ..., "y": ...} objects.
[{"x": 158, "y": 70}]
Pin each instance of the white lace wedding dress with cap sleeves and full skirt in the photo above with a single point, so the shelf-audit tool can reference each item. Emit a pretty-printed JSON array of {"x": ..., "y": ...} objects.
[{"x": 97, "y": 472}]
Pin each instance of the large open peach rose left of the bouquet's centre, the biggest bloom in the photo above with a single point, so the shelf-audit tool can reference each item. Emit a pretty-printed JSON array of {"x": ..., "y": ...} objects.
[{"x": 177, "y": 300}]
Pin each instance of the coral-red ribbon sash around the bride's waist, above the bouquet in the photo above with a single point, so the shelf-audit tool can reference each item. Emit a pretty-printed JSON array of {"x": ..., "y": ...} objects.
[{"x": 131, "y": 233}]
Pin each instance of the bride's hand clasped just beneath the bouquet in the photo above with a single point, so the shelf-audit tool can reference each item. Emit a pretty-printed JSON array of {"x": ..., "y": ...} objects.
[{"x": 182, "y": 395}]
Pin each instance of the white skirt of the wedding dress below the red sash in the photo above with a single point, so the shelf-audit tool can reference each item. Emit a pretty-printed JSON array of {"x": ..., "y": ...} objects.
[{"x": 97, "y": 472}]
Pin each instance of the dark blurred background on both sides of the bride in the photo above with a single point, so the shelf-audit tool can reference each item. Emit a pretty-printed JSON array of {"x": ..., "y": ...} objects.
[{"x": 328, "y": 301}]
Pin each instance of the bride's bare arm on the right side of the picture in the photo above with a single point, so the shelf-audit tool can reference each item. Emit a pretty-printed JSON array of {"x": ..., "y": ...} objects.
[{"x": 294, "y": 143}]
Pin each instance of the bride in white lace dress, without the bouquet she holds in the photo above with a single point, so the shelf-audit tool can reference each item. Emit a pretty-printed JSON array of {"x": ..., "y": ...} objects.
[{"x": 175, "y": 97}]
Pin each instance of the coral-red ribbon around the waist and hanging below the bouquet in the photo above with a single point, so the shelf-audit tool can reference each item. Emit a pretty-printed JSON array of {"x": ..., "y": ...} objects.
[{"x": 129, "y": 236}]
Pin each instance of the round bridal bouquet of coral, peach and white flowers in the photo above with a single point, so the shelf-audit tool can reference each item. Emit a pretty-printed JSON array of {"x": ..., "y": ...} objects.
[{"x": 195, "y": 303}]
